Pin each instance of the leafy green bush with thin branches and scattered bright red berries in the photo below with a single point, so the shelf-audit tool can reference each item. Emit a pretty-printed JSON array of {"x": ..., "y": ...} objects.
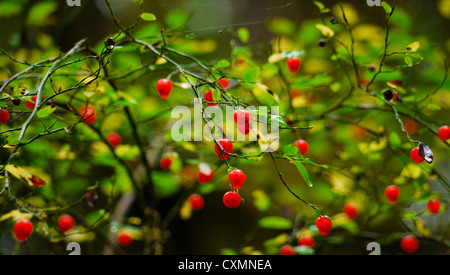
[{"x": 87, "y": 152}]
